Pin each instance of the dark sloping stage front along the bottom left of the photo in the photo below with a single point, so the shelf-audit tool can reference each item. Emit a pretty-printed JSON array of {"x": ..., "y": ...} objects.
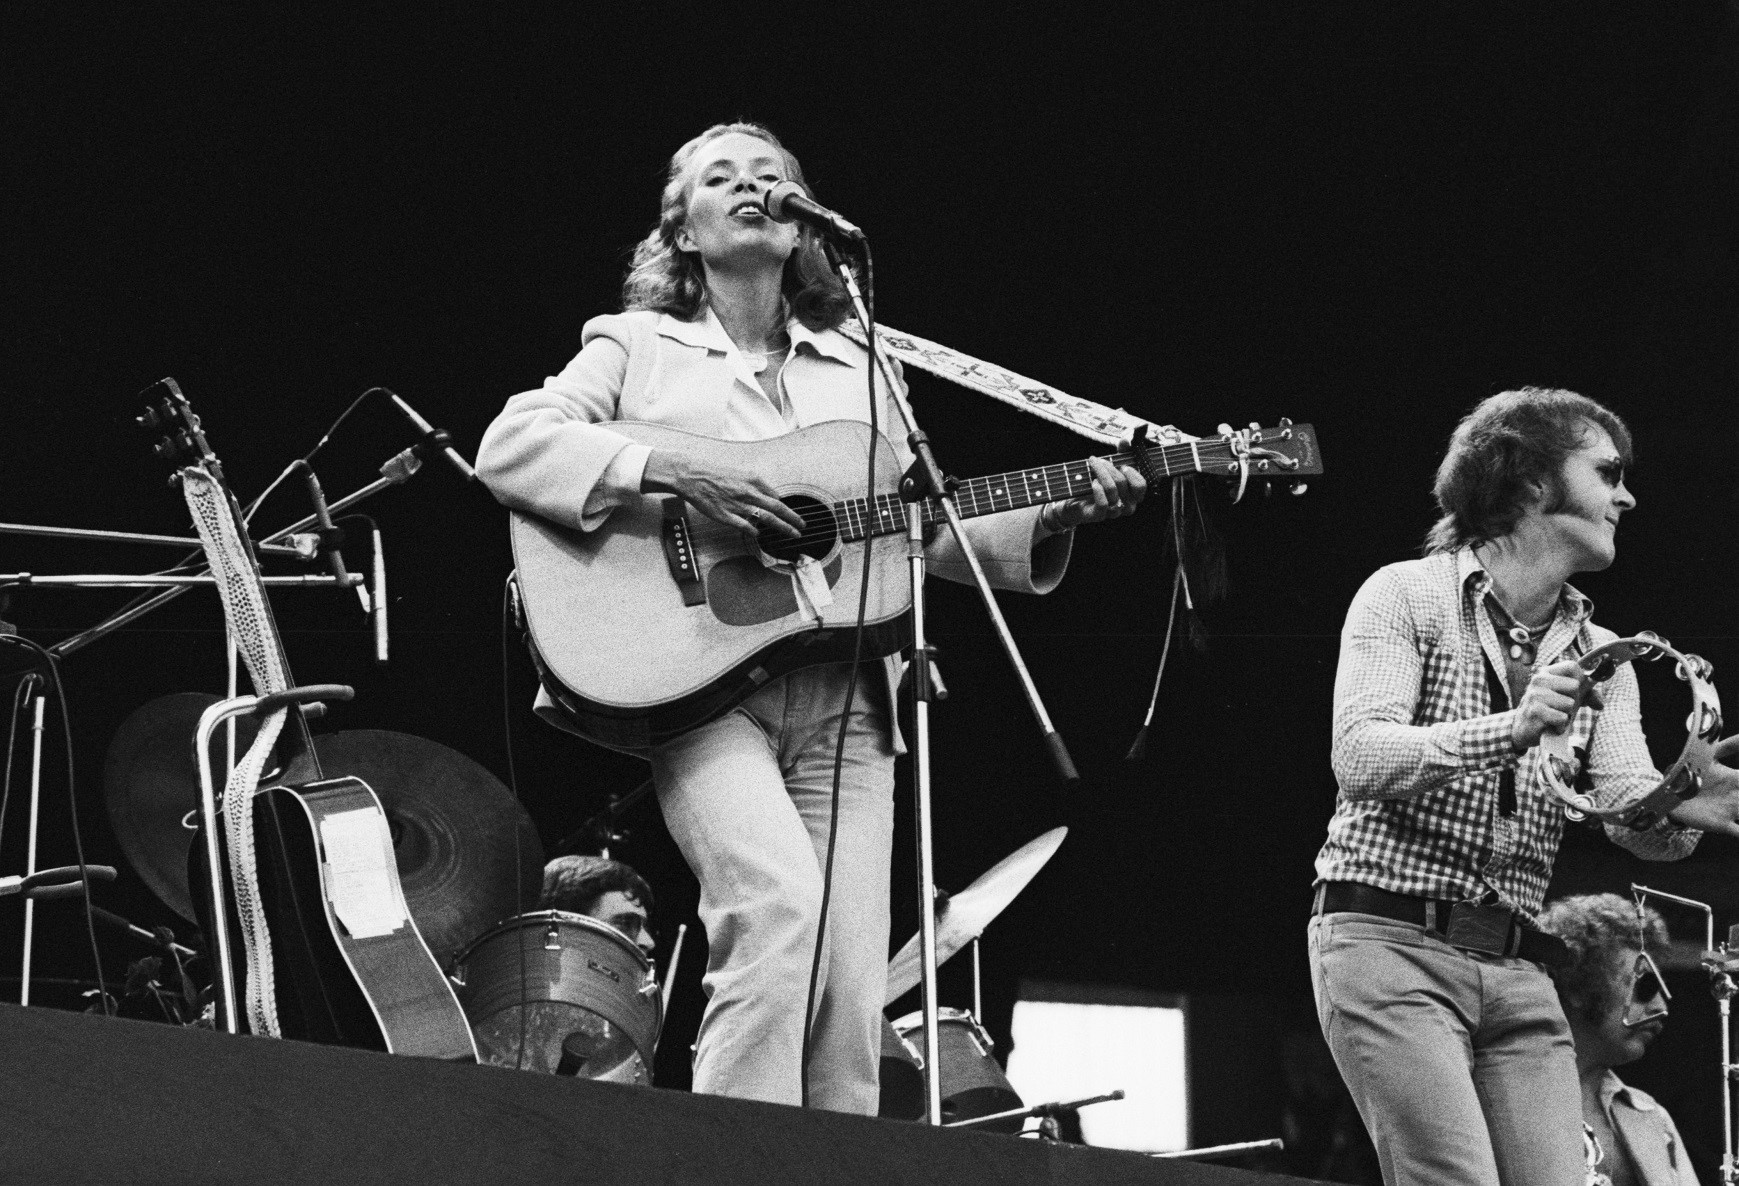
[{"x": 116, "y": 1102}]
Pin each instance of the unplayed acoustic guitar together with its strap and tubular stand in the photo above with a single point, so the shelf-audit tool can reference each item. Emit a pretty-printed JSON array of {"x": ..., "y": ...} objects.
[{"x": 323, "y": 879}]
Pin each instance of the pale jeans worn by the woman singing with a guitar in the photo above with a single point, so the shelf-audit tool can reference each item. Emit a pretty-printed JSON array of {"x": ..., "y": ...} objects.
[{"x": 749, "y": 803}]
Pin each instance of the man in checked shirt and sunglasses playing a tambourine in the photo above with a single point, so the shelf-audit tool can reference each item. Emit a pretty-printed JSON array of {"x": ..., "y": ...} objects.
[{"x": 1429, "y": 969}]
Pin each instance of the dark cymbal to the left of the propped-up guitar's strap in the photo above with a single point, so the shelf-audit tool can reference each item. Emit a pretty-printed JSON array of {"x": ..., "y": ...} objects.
[{"x": 150, "y": 785}]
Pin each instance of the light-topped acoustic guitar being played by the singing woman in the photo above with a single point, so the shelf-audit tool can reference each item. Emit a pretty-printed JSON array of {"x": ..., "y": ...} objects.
[{"x": 663, "y": 620}]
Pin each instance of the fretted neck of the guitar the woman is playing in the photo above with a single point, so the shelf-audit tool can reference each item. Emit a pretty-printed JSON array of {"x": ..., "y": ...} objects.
[{"x": 1029, "y": 488}]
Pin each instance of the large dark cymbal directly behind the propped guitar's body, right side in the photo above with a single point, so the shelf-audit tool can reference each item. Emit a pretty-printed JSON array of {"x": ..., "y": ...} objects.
[{"x": 469, "y": 855}]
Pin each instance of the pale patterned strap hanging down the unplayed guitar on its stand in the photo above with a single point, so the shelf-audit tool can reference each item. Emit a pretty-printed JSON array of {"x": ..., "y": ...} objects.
[{"x": 250, "y": 620}]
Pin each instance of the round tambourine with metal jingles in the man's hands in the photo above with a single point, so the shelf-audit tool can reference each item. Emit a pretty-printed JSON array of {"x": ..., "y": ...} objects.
[{"x": 1684, "y": 778}]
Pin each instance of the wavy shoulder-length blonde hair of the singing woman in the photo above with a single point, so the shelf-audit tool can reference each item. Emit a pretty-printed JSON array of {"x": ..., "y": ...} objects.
[{"x": 670, "y": 281}]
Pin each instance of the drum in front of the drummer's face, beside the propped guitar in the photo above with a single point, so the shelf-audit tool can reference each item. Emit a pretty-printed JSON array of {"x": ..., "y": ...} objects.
[{"x": 589, "y": 1003}]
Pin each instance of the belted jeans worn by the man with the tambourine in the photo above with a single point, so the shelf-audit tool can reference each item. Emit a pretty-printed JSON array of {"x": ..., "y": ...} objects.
[{"x": 1460, "y": 1063}]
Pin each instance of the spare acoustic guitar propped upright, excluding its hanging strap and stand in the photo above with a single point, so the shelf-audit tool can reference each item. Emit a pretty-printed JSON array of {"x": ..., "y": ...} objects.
[{"x": 352, "y": 968}]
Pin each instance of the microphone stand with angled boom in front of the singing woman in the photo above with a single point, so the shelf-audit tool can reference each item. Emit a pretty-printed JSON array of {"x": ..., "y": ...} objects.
[{"x": 924, "y": 481}]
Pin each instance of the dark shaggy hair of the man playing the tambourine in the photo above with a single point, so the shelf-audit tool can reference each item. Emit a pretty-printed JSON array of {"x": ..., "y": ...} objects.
[{"x": 1502, "y": 450}]
